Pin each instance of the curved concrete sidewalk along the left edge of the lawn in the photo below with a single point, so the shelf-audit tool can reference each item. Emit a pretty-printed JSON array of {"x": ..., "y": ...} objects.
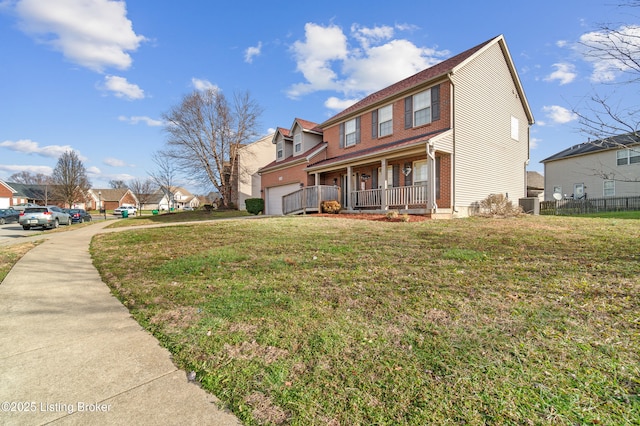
[{"x": 71, "y": 354}]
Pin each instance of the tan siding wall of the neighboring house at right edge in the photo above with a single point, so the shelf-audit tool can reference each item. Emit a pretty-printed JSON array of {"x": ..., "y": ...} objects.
[{"x": 589, "y": 170}]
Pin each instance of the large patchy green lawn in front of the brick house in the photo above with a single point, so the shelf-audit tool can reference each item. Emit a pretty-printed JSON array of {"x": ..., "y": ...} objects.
[{"x": 307, "y": 320}]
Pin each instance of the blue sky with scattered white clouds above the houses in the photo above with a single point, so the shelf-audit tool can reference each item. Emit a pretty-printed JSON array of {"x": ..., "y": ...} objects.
[{"x": 95, "y": 76}]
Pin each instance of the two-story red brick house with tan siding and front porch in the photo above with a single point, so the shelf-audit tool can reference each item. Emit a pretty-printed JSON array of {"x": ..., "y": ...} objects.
[{"x": 438, "y": 142}]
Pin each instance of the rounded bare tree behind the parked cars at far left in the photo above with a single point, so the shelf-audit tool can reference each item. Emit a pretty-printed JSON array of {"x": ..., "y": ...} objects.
[{"x": 69, "y": 179}]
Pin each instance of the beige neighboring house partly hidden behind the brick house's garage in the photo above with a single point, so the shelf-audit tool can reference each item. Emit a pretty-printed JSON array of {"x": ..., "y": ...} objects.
[{"x": 251, "y": 158}]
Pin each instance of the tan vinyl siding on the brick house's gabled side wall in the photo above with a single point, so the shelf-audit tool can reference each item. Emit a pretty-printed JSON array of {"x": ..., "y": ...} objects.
[{"x": 487, "y": 160}]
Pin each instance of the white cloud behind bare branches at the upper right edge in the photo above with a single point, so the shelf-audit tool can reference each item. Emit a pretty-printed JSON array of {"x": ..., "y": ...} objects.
[{"x": 605, "y": 67}]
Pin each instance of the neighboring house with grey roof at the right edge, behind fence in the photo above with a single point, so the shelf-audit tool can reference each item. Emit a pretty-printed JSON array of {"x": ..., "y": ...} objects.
[{"x": 595, "y": 169}]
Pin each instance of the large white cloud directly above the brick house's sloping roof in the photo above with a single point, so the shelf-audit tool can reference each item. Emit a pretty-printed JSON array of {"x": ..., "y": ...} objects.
[{"x": 374, "y": 59}]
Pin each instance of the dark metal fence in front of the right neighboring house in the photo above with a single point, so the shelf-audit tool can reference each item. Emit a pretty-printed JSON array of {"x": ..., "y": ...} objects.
[{"x": 589, "y": 205}]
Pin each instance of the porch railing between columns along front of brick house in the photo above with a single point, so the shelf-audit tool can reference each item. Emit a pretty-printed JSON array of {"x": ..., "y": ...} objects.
[{"x": 402, "y": 196}]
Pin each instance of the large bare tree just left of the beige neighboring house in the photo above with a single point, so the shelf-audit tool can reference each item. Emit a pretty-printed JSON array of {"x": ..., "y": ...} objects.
[{"x": 205, "y": 133}]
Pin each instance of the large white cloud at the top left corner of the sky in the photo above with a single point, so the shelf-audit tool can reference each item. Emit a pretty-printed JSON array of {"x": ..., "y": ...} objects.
[{"x": 95, "y": 34}]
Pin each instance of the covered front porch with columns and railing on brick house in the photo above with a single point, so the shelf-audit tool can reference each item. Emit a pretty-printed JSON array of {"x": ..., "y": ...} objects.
[{"x": 413, "y": 180}]
